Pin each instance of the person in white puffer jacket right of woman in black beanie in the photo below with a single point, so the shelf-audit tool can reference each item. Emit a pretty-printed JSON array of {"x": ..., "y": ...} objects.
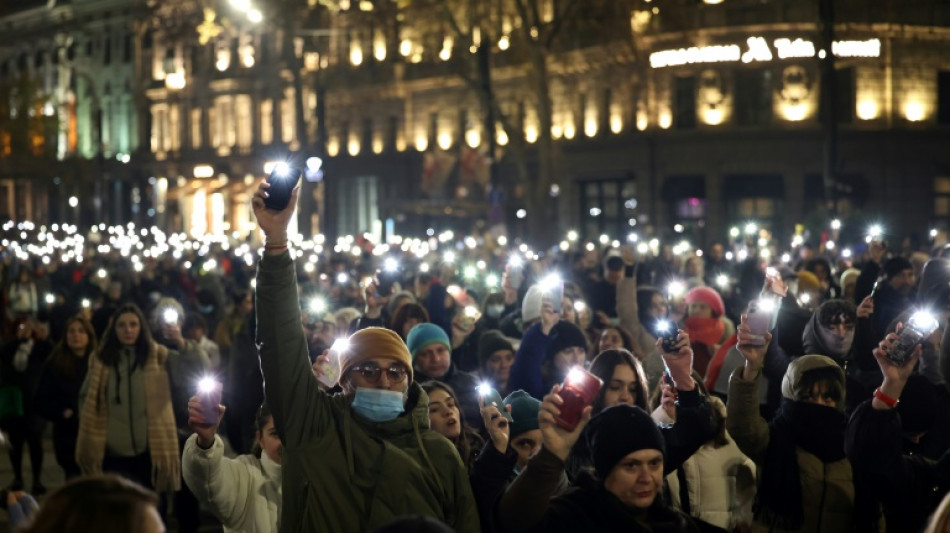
[{"x": 716, "y": 484}]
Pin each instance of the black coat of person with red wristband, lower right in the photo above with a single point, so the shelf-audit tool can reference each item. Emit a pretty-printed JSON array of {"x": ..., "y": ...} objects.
[{"x": 909, "y": 487}]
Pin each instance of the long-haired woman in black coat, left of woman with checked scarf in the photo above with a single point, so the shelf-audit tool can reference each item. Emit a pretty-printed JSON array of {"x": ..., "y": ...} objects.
[{"x": 57, "y": 398}]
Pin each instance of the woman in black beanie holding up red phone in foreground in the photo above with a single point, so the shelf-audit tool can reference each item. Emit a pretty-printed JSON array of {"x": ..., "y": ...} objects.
[{"x": 628, "y": 453}]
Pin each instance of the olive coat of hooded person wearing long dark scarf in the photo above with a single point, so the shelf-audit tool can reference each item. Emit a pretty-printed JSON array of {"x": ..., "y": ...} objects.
[{"x": 827, "y": 489}]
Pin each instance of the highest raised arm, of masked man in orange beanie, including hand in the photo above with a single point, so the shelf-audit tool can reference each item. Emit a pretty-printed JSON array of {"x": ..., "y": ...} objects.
[{"x": 292, "y": 393}]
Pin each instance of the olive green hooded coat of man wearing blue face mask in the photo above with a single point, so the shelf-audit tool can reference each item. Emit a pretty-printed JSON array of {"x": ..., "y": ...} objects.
[{"x": 345, "y": 473}]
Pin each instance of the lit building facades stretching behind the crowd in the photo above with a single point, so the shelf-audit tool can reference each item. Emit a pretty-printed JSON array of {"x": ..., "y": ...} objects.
[{"x": 685, "y": 118}]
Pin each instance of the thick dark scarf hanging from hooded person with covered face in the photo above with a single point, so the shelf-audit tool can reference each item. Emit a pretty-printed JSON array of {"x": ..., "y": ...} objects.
[{"x": 817, "y": 429}]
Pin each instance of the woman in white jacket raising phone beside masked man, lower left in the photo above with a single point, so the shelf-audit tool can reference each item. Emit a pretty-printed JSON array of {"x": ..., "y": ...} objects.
[{"x": 244, "y": 492}]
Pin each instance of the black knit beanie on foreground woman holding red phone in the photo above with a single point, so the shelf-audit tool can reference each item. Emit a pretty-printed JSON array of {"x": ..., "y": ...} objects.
[{"x": 619, "y": 431}]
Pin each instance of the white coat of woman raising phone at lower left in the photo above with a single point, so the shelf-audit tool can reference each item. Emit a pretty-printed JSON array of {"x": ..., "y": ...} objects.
[{"x": 243, "y": 493}]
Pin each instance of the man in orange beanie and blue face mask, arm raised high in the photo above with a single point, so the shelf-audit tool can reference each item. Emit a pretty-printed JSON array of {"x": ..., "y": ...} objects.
[{"x": 359, "y": 459}]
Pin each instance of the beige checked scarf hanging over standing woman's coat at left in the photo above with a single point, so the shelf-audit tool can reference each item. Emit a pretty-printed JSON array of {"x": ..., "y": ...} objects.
[{"x": 162, "y": 432}]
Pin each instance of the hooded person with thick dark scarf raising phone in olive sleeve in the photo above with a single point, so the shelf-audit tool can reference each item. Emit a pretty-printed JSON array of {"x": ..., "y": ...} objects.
[{"x": 806, "y": 482}]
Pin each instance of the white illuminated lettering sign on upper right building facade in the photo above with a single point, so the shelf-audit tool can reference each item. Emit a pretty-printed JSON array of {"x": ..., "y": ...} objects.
[{"x": 757, "y": 49}]
